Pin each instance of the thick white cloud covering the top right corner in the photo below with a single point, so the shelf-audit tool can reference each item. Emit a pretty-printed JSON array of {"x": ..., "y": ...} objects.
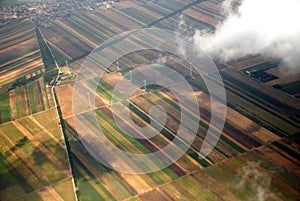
[{"x": 264, "y": 27}]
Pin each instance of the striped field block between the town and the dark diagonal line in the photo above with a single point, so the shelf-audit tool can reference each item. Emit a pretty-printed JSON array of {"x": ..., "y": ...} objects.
[{"x": 75, "y": 37}]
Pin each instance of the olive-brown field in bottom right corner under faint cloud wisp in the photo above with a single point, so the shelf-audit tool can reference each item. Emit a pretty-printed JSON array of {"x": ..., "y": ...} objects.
[{"x": 246, "y": 178}]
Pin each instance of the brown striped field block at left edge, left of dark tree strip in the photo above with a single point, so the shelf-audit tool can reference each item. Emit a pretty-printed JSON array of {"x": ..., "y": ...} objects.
[{"x": 20, "y": 53}]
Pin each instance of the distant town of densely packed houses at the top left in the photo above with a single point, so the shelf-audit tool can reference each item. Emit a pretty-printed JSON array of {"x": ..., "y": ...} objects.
[{"x": 43, "y": 12}]
